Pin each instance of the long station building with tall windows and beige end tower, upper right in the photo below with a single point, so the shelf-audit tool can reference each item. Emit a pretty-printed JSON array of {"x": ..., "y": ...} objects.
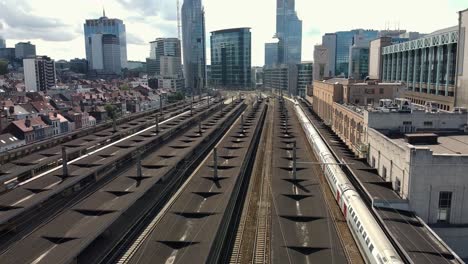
[{"x": 433, "y": 67}]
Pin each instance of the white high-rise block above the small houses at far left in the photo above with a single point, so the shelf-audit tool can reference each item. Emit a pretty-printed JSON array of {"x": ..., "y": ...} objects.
[{"x": 39, "y": 73}]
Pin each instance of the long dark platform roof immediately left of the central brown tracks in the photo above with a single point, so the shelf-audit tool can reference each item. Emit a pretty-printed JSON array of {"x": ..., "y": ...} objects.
[{"x": 197, "y": 224}]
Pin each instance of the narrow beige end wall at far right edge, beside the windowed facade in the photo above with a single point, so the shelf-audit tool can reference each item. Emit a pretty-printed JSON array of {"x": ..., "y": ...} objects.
[{"x": 462, "y": 61}]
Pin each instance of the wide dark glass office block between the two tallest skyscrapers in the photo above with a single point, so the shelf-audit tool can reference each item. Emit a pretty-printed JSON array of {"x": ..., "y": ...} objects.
[{"x": 231, "y": 58}]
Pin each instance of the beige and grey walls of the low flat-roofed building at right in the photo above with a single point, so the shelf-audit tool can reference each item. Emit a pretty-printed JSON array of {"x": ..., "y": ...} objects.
[{"x": 423, "y": 175}]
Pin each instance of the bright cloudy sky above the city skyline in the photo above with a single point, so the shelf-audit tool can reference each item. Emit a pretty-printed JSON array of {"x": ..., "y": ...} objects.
[{"x": 56, "y": 26}]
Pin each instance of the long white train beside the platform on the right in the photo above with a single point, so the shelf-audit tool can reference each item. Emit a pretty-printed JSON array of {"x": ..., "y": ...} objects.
[{"x": 373, "y": 243}]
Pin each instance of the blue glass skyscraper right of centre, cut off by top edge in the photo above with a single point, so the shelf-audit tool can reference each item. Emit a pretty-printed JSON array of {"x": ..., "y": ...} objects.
[{"x": 289, "y": 32}]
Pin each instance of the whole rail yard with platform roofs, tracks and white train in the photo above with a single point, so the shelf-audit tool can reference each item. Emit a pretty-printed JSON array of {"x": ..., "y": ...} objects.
[{"x": 248, "y": 178}]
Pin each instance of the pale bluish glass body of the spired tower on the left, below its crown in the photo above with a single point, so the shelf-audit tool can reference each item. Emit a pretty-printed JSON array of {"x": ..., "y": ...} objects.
[{"x": 105, "y": 57}]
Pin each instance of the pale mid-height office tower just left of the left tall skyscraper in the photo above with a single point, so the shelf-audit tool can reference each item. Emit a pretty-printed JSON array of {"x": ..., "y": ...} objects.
[{"x": 165, "y": 58}]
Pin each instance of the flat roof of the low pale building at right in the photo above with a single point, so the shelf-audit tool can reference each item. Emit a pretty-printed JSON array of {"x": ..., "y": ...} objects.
[{"x": 447, "y": 143}]
